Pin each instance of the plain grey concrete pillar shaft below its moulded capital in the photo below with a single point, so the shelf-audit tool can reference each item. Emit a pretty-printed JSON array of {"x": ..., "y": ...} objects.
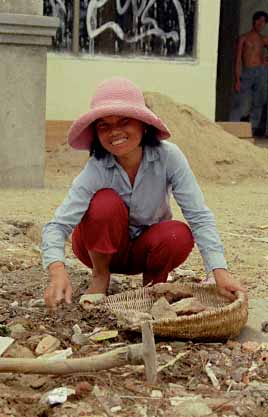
[{"x": 22, "y": 120}]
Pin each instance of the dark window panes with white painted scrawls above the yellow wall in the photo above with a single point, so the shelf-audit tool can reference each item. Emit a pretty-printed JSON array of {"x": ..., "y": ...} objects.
[{"x": 130, "y": 27}]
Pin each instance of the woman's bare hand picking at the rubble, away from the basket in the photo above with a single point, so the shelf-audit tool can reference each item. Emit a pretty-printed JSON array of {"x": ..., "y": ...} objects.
[{"x": 60, "y": 289}]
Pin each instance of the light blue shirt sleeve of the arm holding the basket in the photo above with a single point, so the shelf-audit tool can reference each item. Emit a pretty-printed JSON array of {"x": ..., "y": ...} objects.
[{"x": 190, "y": 199}]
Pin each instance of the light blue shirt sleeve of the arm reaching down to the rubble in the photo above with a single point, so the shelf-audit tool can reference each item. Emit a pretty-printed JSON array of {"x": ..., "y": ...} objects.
[{"x": 69, "y": 213}]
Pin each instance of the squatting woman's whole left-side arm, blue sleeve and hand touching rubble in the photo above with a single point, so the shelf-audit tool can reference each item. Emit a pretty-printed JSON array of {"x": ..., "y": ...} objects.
[{"x": 56, "y": 232}]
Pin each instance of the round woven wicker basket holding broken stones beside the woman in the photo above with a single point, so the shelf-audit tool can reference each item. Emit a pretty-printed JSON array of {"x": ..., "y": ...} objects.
[{"x": 223, "y": 320}]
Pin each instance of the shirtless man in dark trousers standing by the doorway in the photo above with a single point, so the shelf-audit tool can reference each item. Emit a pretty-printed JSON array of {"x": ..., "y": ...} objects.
[{"x": 251, "y": 73}]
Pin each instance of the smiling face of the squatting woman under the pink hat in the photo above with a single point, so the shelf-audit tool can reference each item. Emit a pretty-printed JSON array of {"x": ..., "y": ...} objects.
[{"x": 120, "y": 135}]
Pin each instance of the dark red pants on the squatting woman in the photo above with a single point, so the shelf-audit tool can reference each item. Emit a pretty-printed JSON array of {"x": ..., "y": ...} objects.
[{"x": 104, "y": 228}]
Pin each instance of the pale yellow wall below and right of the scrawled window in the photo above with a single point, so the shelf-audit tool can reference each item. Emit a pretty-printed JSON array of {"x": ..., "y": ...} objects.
[{"x": 71, "y": 81}]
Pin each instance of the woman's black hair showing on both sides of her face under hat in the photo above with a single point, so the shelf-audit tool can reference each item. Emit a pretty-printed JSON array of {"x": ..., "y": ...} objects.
[{"x": 149, "y": 139}]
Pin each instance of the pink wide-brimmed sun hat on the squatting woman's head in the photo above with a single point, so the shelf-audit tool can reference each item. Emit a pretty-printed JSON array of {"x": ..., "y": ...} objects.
[{"x": 114, "y": 97}]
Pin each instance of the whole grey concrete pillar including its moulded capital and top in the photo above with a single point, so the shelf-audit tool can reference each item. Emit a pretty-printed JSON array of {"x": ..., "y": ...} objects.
[{"x": 23, "y": 41}]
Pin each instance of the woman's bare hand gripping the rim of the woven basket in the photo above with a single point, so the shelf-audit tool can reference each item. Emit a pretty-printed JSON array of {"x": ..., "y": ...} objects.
[{"x": 226, "y": 285}]
